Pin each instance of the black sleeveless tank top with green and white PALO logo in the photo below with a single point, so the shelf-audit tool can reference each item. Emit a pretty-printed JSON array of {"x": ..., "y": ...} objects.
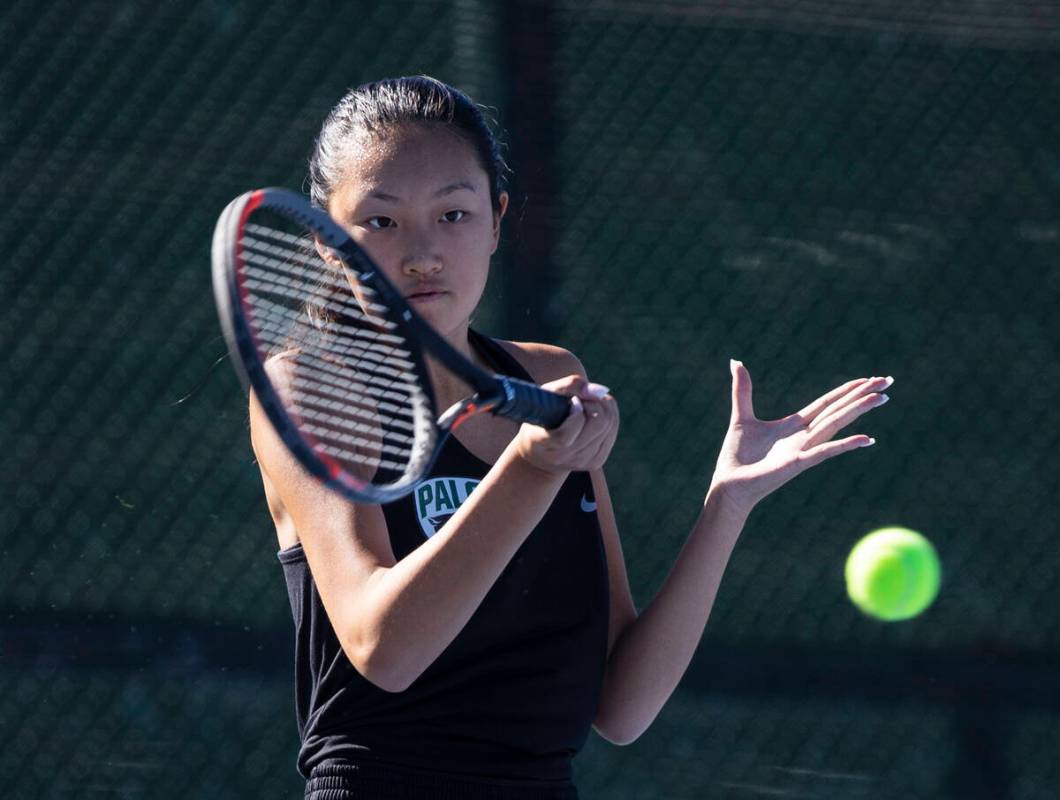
[{"x": 515, "y": 695}]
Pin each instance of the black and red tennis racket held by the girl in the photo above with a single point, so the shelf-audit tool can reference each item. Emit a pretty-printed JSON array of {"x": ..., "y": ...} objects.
[{"x": 335, "y": 355}]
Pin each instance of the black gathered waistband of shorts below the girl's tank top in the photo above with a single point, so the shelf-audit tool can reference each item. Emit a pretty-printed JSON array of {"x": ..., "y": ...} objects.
[{"x": 374, "y": 781}]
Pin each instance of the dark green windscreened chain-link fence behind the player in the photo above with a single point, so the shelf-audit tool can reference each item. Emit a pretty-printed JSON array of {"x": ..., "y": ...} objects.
[{"x": 824, "y": 189}]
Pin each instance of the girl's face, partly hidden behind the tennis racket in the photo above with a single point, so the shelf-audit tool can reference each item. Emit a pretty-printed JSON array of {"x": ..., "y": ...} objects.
[{"x": 418, "y": 201}]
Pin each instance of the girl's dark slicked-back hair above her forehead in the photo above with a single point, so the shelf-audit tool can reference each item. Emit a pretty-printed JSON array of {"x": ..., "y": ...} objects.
[{"x": 374, "y": 109}]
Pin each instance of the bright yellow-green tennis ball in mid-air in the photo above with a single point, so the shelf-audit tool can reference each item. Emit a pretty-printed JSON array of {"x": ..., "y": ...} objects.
[{"x": 893, "y": 574}]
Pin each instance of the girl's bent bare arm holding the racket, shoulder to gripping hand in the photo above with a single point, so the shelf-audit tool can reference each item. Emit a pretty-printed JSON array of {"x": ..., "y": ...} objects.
[{"x": 395, "y": 618}]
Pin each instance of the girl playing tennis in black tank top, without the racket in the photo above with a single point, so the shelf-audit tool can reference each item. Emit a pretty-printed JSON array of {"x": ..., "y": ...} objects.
[{"x": 461, "y": 643}]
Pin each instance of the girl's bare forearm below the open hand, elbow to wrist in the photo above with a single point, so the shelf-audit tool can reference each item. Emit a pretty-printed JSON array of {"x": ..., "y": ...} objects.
[{"x": 652, "y": 654}]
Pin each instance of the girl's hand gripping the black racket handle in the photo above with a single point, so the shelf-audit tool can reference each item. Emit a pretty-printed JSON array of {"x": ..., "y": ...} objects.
[{"x": 586, "y": 438}]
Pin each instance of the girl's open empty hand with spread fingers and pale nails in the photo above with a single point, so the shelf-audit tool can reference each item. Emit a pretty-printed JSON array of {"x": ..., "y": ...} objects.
[{"x": 758, "y": 456}]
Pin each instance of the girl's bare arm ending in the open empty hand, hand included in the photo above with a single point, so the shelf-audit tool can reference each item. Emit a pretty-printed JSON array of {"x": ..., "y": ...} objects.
[{"x": 649, "y": 653}]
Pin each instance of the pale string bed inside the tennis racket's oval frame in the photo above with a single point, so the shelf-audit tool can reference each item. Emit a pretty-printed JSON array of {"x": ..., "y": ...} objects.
[{"x": 350, "y": 378}]
